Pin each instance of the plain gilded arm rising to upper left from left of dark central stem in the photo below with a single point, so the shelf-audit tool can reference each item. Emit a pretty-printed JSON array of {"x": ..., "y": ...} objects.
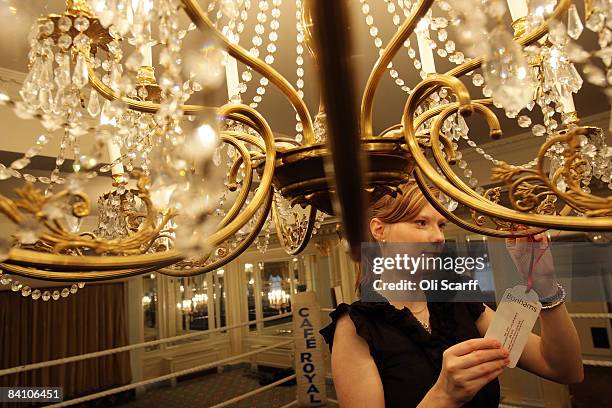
[{"x": 199, "y": 18}]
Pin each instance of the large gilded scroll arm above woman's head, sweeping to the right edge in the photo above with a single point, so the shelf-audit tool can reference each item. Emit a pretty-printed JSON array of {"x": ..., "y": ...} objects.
[{"x": 478, "y": 204}]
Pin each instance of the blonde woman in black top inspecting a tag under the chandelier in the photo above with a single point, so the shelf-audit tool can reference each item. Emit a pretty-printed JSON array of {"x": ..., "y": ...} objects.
[{"x": 420, "y": 354}]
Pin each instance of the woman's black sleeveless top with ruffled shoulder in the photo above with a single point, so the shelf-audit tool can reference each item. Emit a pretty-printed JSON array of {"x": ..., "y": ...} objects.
[{"x": 408, "y": 358}]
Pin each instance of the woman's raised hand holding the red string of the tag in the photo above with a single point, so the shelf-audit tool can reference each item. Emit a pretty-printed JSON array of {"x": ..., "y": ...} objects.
[{"x": 534, "y": 250}]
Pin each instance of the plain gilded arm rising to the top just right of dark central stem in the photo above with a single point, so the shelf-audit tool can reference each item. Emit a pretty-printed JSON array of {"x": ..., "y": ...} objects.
[{"x": 377, "y": 72}]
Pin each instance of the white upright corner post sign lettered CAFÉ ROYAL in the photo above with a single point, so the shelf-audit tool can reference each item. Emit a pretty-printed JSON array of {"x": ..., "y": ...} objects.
[{"x": 309, "y": 364}]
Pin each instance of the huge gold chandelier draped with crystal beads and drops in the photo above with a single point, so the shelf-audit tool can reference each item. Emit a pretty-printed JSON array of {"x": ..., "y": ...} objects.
[{"x": 194, "y": 185}]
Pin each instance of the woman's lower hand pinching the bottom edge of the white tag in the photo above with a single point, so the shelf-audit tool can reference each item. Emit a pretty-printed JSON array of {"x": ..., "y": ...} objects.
[{"x": 466, "y": 368}]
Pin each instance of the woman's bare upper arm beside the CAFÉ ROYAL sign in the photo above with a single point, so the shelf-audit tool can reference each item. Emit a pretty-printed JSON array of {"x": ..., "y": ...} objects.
[{"x": 355, "y": 374}]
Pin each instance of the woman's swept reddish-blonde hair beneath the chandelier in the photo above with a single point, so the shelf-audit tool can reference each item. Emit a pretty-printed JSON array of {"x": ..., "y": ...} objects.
[{"x": 390, "y": 209}]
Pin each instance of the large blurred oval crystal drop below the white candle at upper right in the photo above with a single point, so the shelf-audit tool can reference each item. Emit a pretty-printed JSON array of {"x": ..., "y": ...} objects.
[{"x": 507, "y": 72}]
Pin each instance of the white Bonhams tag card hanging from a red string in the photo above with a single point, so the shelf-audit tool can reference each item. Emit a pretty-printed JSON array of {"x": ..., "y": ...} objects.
[{"x": 514, "y": 319}]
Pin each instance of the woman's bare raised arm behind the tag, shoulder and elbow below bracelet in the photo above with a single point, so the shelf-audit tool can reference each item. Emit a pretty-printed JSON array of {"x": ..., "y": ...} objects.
[{"x": 556, "y": 354}]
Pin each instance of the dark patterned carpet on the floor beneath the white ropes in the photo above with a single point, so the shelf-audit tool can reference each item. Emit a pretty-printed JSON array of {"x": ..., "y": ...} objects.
[{"x": 212, "y": 389}]
